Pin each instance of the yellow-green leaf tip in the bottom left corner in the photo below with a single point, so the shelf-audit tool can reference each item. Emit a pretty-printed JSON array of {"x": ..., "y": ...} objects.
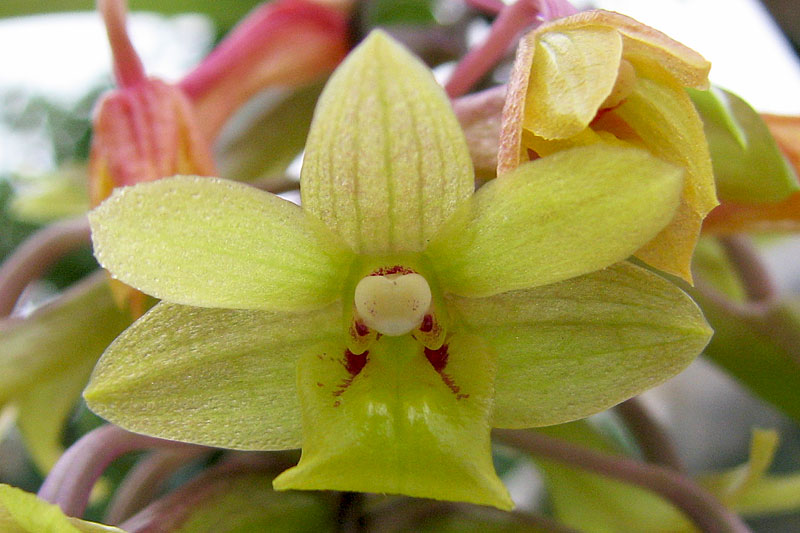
[{"x": 22, "y": 512}]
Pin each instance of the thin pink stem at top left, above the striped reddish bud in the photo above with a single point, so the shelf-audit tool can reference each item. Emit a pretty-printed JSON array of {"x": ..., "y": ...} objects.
[{"x": 128, "y": 68}]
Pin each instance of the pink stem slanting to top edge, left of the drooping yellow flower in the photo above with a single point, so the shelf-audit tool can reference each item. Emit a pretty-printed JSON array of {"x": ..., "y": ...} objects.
[{"x": 512, "y": 20}]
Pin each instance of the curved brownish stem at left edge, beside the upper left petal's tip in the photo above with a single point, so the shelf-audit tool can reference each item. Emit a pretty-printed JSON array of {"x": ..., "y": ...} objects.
[{"x": 36, "y": 255}]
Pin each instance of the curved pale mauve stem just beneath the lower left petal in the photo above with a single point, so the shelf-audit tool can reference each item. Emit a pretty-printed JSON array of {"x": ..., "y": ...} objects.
[{"x": 70, "y": 482}]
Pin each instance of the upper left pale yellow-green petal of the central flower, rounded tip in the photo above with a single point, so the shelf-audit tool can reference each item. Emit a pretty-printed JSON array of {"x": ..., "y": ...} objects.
[{"x": 216, "y": 243}]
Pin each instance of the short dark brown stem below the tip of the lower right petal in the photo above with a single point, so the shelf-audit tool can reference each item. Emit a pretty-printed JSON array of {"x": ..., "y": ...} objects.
[{"x": 652, "y": 437}]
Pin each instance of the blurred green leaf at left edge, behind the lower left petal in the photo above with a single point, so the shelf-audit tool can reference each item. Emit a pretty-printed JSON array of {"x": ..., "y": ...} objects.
[{"x": 46, "y": 360}]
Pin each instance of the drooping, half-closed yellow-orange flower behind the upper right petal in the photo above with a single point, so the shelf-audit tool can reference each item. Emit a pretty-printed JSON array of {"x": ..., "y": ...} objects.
[{"x": 603, "y": 77}]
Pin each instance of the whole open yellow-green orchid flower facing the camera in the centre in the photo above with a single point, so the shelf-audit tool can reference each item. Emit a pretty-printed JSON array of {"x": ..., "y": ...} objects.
[{"x": 387, "y": 325}]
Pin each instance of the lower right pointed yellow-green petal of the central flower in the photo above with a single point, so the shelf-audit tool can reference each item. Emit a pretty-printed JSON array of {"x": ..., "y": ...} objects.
[{"x": 575, "y": 348}]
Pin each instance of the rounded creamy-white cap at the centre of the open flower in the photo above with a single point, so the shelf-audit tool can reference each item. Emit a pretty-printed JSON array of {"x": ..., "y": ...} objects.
[{"x": 393, "y": 304}]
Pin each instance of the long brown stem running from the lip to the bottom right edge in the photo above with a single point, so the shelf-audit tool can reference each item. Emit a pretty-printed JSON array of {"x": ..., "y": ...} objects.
[{"x": 705, "y": 510}]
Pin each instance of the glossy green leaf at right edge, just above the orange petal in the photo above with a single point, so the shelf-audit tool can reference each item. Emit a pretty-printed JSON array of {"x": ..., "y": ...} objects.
[{"x": 748, "y": 165}]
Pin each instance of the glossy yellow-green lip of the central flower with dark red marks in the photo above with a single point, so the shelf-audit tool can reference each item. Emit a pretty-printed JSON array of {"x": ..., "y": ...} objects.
[{"x": 398, "y": 425}]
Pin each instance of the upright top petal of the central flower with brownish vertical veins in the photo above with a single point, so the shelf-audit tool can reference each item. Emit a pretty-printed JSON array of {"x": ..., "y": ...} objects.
[{"x": 386, "y": 162}]
